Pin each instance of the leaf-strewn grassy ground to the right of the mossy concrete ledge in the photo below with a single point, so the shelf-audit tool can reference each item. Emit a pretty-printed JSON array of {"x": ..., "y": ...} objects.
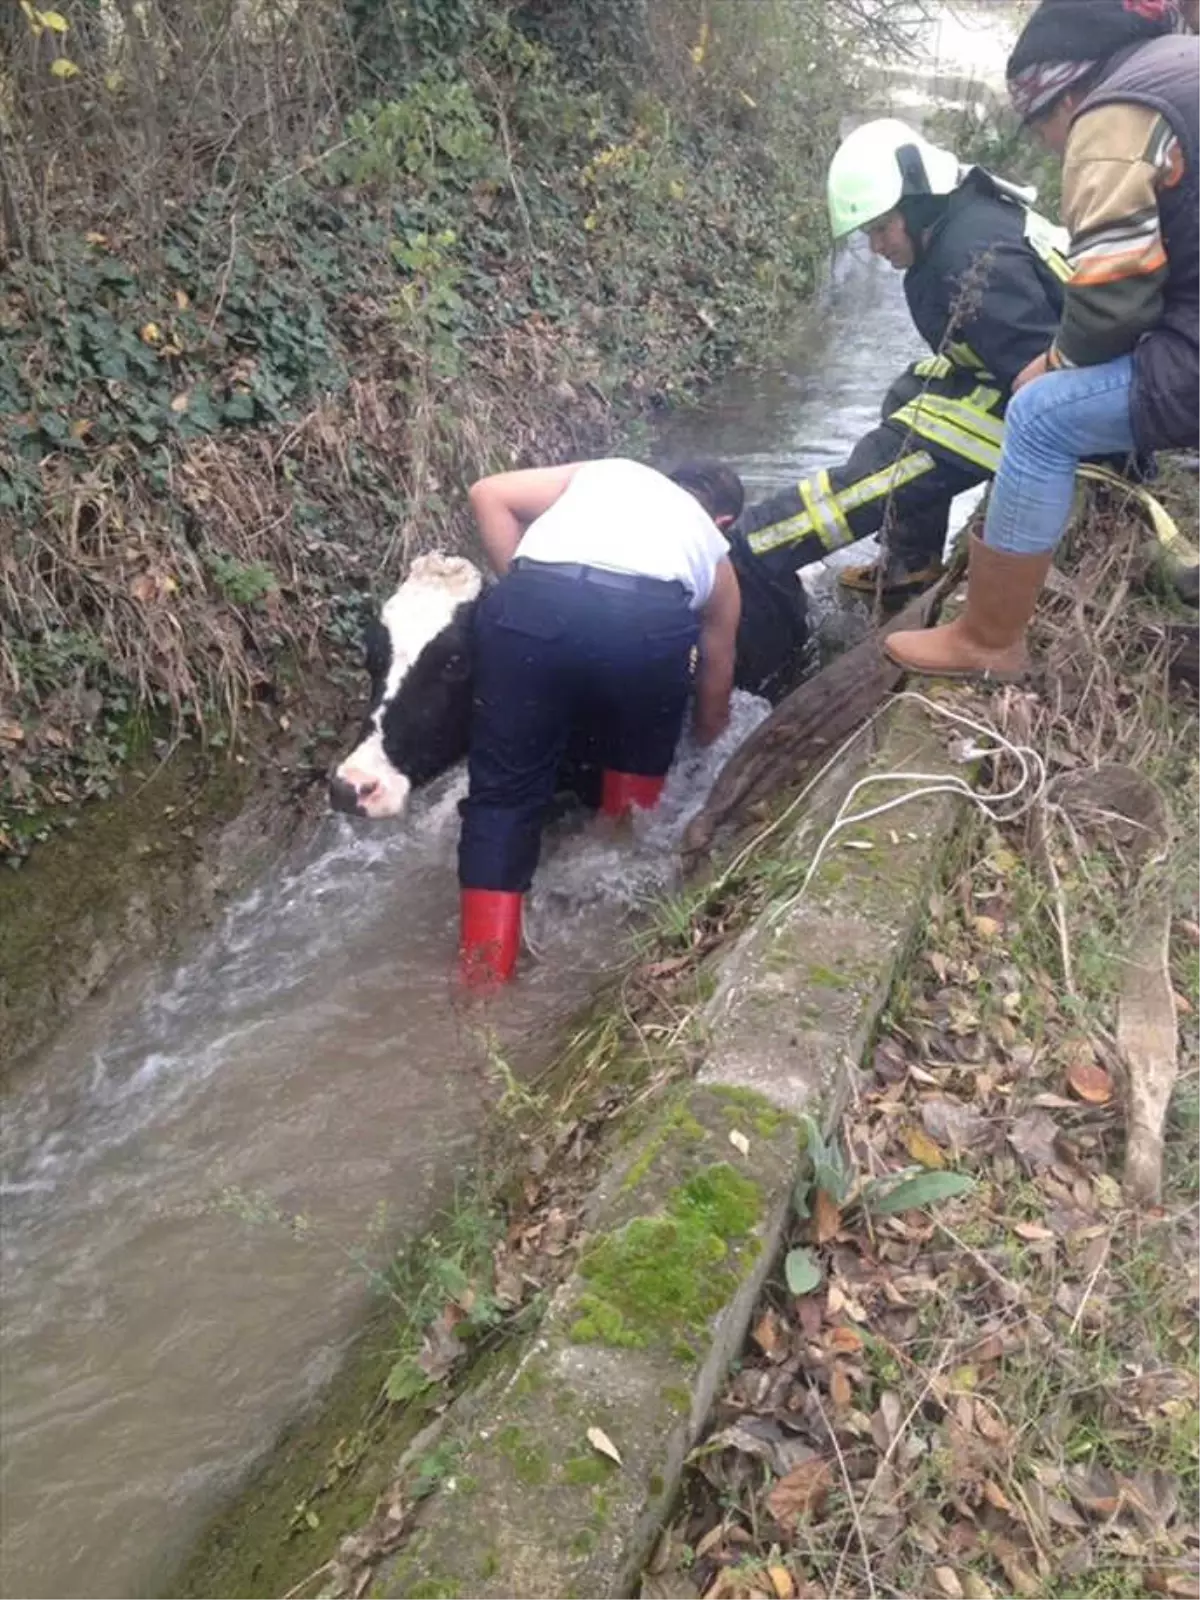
[{"x": 977, "y": 1370}]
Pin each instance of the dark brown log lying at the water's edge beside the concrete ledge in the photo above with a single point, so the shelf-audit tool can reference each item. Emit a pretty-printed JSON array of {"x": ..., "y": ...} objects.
[{"x": 807, "y": 726}]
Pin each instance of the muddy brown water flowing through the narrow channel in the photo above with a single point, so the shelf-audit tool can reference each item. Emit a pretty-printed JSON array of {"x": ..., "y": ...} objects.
[{"x": 310, "y": 1060}]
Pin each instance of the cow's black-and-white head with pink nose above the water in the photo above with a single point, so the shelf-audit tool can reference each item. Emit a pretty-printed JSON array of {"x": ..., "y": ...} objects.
[{"x": 418, "y": 655}]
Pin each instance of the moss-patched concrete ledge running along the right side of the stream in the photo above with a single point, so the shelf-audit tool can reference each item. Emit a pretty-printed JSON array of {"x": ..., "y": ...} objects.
[{"x": 682, "y": 1233}]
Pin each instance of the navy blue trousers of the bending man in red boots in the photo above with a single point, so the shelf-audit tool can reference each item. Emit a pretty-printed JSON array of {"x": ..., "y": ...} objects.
[{"x": 558, "y": 658}]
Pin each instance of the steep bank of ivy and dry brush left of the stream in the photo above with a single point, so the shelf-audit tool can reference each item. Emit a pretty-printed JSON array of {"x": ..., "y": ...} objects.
[{"x": 281, "y": 281}]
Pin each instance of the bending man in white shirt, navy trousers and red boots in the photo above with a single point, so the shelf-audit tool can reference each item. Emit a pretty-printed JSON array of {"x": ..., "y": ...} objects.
[{"x": 617, "y": 601}]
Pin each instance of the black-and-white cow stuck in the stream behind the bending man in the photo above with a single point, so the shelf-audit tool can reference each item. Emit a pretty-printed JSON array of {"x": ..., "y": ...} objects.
[{"x": 418, "y": 658}]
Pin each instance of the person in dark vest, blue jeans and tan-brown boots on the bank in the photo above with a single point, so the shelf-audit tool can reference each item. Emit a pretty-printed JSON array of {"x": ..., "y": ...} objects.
[{"x": 1113, "y": 89}]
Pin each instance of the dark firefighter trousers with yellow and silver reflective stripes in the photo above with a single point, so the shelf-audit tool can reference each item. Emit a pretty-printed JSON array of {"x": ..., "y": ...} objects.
[{"x": 940, "y": 434}]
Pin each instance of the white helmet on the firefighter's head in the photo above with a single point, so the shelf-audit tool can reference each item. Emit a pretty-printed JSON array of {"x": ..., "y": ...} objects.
[{"x": 878, "y": 166}]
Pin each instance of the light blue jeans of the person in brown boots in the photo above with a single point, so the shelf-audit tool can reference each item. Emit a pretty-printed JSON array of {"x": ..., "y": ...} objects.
[{"x": 1052, "y": 425}]
